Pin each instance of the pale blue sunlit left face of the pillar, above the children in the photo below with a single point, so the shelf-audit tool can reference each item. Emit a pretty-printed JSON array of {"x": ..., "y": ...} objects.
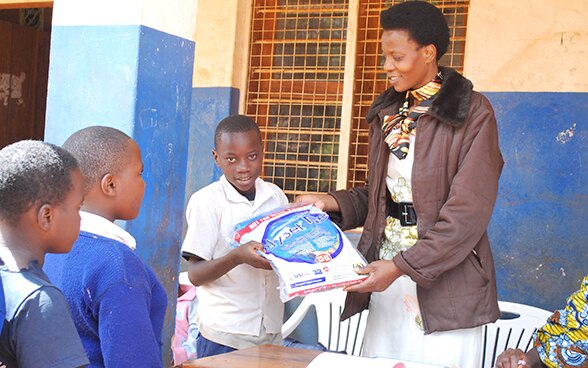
[{"x": 92, "y": 77}]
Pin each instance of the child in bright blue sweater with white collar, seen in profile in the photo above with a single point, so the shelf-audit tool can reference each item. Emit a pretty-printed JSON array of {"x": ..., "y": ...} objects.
[{"x": 117, "y": 302}]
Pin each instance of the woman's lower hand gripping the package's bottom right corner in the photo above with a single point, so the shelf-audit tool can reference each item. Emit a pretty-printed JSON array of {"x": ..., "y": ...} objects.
[{"x": 382, "y": 274}]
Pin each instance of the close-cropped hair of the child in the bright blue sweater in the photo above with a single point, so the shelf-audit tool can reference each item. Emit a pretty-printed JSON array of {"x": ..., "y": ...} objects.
[{"x": 99, "y": 150}]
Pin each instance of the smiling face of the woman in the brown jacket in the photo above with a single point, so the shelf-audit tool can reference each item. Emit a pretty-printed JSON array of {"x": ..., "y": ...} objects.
[{"x": 407, "y": 64}]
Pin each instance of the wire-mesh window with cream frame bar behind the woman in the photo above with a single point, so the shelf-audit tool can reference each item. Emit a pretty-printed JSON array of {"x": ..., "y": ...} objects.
[{"x": 314, "y": 69}]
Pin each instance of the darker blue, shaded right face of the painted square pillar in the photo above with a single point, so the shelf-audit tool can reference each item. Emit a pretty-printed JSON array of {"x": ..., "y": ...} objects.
[{"x": 164, "y": 86}]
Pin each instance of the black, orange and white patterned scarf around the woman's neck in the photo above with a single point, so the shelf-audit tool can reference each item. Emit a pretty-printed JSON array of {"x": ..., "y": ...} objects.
[{"x": 397, "y": 128}]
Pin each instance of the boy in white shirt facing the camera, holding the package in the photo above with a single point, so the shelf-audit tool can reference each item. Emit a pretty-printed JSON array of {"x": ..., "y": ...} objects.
[{"x": 239, "y": 304}]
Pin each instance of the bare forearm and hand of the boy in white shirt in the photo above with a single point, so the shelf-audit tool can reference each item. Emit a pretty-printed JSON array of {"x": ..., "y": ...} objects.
[{"x": 202, "y": 272}]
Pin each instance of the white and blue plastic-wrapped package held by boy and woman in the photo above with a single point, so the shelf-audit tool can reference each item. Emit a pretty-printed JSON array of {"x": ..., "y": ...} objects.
[{"x": 305, "y": 248}]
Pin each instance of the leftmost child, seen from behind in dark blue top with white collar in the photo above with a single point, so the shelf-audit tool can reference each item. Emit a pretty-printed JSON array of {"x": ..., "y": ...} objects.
[{"x": 41, "y": 191}]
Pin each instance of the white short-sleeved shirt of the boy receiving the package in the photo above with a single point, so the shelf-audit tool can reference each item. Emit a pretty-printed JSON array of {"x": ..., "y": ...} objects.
[{"x": 239, "y": 301}]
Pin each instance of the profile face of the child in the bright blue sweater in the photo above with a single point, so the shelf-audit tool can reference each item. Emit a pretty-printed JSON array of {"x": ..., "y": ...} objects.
[{"x": 130, "y": 185}]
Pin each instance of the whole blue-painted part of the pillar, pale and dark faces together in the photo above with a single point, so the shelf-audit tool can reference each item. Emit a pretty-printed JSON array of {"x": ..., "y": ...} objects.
[{"x": 138, "y": 80}]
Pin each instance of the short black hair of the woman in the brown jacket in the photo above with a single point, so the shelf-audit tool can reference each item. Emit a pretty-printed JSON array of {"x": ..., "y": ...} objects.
[{"x": 424, "y": 22}]
